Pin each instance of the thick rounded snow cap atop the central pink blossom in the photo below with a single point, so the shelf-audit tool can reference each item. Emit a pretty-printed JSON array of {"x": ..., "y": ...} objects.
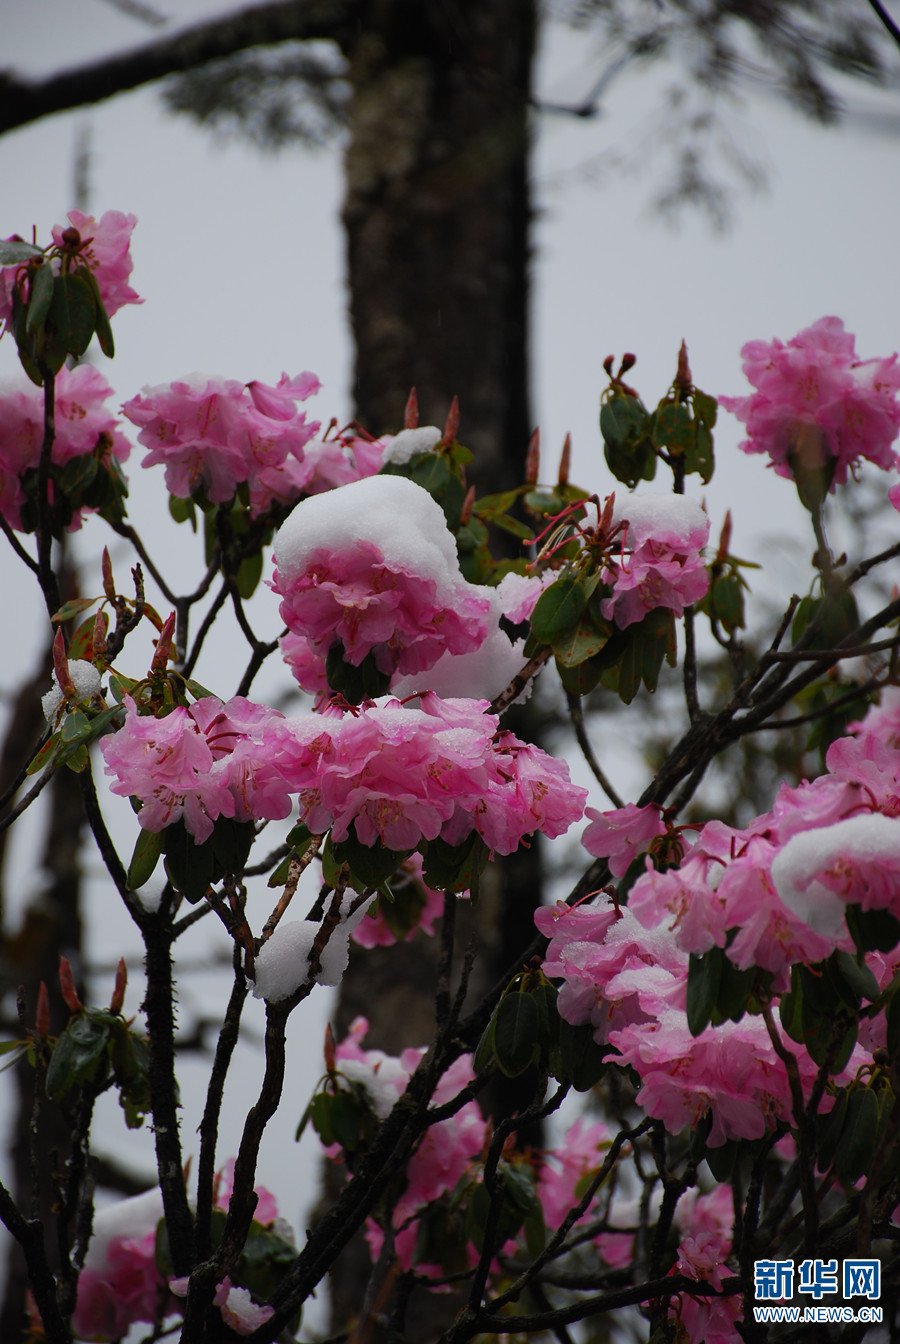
[{"x": 392, "y": 513}]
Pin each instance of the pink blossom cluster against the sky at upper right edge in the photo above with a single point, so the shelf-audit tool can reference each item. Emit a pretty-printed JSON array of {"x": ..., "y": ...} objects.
[{"x": 817, "y": 403}]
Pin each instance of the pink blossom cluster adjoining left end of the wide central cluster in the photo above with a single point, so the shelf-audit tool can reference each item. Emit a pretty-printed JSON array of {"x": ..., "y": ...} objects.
[{"x": 209, "y": 761}]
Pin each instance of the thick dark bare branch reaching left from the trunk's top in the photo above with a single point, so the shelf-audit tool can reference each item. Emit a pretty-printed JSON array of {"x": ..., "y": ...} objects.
[{"x": 24, "y": 101}]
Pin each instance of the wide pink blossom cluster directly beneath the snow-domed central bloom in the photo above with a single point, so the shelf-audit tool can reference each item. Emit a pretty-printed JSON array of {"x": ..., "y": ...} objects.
[{"x": 402, "y": 773}]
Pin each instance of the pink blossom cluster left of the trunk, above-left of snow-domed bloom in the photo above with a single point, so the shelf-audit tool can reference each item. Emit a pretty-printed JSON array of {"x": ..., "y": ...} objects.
[{"x": 216, "y": 435}]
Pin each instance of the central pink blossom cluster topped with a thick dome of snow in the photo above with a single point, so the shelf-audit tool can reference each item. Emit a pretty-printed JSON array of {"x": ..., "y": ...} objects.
[{"x": 375, "y": 566}]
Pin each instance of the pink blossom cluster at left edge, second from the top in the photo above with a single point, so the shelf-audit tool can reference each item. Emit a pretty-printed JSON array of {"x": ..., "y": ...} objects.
[{"x": 84, "y": 425}]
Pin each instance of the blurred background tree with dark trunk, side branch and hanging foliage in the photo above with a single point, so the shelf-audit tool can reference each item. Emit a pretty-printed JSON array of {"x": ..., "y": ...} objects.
[{"x": 437, "y": 208}]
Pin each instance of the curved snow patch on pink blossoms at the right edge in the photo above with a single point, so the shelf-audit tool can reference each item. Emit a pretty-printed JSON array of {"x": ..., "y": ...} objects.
[{"x": 867, "y": 839}]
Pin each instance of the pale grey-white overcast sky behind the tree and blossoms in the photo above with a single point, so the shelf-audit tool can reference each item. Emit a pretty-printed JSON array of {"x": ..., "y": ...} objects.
[{"x": 240, "y": 259}]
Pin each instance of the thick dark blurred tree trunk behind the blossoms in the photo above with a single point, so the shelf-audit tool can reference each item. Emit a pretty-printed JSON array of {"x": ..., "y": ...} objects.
[{"x": 437, "y": 216}]
